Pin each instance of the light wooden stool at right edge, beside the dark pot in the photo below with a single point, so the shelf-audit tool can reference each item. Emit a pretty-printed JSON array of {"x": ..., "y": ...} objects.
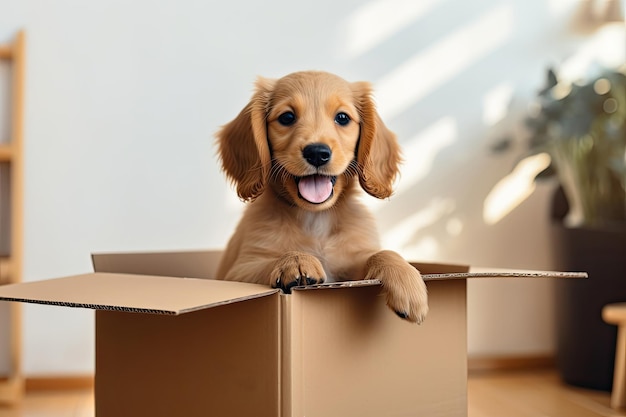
[{"x": 616, "y": 314}]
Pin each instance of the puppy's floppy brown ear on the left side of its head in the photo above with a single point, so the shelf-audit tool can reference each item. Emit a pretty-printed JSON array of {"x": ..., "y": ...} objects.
[{"x": 243, "y": 145}]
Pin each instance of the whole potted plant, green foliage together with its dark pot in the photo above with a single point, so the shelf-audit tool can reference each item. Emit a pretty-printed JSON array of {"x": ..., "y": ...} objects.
[{"x": 582, "y": 127}]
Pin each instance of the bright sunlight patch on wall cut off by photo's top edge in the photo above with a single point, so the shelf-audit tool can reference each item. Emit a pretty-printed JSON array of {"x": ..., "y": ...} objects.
[{"x": 379, "y": 20}]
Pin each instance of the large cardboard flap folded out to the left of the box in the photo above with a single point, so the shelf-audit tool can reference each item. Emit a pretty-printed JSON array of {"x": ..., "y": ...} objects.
[{"x": 134, "y": 293}]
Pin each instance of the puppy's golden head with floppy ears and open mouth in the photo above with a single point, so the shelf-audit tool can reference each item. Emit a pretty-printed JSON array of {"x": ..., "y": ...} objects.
[{"x": 306, "y": 136}]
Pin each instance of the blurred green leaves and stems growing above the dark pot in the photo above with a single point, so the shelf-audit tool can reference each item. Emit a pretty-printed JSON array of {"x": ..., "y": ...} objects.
[{"x": 582, "y": 126}]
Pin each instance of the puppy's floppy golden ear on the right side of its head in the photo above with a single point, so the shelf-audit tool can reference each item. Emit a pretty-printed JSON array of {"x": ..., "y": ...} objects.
[{"x": 378, "y": 155}]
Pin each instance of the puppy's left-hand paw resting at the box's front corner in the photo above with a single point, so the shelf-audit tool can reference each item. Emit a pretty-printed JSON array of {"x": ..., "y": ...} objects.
[{"x": 294, "y": 269}]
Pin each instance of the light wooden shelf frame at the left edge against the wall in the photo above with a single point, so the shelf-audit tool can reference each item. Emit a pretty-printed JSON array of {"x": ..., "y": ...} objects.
[{"x": 11, "y": 169}]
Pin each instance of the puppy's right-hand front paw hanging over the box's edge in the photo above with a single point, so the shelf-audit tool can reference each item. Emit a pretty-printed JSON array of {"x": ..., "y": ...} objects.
[{"x": 403, "y": 285}]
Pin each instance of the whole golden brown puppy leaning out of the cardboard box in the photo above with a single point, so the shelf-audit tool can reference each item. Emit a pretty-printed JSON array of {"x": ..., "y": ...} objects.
[{"x": 297, "y": 152}]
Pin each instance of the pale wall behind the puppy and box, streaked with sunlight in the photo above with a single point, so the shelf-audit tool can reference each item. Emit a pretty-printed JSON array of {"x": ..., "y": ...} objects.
[{"x": 123, "y": 98}]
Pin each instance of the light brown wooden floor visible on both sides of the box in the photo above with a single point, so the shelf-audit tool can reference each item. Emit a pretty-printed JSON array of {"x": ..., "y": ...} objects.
[{"x": 512, "y": 394}]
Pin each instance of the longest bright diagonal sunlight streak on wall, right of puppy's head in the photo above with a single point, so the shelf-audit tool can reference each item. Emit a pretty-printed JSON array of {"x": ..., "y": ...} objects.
[{"x": 430, "y": 69}]
